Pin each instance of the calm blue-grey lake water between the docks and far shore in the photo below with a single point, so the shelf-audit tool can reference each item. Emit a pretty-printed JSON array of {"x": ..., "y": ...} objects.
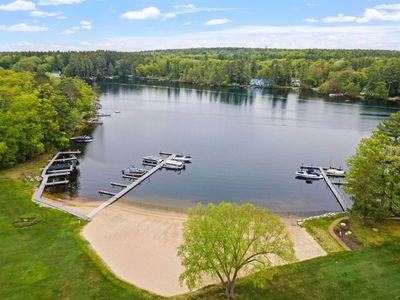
[{"x": 246, "y": 144}]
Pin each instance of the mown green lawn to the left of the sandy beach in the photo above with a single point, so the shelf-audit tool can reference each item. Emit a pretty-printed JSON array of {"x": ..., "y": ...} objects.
[{"x": 48, "y": 260}]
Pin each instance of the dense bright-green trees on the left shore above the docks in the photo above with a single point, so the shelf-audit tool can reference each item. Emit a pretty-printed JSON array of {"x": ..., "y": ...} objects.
[{"x": 39, "y": 113}]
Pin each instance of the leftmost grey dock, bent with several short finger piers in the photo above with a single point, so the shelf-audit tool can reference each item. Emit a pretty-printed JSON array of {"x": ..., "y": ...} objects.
[{"x": 37, "y": 196}]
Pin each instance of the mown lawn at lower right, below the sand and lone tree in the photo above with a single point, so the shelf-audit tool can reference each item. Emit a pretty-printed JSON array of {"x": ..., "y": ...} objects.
[{"x": 370, "y": 273}]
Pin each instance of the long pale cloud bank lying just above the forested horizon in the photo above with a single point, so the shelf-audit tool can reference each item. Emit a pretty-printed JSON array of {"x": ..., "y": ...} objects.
[{"x": 291, "y": 37}]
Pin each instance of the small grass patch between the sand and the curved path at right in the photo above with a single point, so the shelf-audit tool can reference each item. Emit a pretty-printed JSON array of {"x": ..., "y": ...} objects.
[{"x": 318, "y": 228}]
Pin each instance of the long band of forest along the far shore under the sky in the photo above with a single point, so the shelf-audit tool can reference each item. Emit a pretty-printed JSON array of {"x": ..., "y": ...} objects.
[{"x": 354, "y": 73}]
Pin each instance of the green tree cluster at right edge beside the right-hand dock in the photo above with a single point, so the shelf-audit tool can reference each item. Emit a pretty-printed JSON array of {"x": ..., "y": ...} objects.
[{"x": 373, "y": 179}]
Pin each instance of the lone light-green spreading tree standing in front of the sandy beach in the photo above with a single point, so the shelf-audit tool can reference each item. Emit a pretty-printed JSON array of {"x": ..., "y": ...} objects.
[{"x": 226, "y": 240}]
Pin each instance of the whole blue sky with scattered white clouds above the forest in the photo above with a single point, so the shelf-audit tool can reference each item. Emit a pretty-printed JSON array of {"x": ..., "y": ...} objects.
[{"x": 134, "y": 25}]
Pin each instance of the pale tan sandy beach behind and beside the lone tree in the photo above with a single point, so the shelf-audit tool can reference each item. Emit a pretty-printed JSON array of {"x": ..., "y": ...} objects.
[{"x": 139, "y": 245}]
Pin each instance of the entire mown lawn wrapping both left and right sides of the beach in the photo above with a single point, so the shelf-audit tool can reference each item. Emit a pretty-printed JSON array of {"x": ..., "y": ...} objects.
[{"x": 49, "y": 260}]
